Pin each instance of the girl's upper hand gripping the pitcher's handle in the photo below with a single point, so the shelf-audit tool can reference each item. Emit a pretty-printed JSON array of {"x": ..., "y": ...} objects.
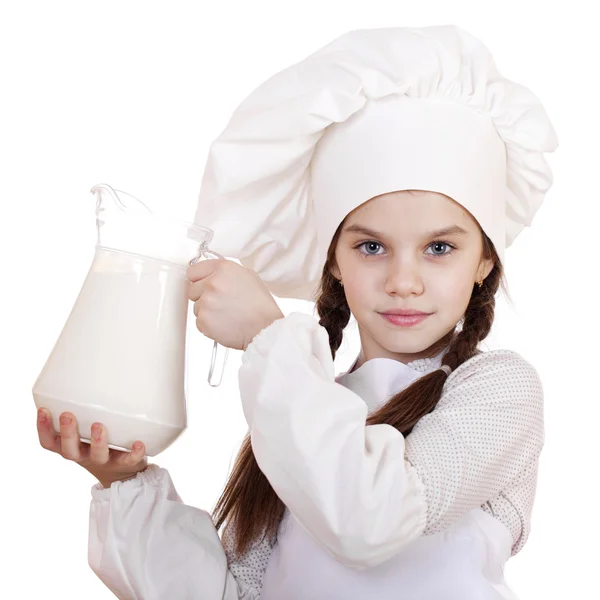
[{"x": 231, "y": 303}]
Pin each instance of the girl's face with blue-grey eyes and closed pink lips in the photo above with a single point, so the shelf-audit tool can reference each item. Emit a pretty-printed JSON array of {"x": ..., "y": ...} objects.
[{"x": 389, "y": 257}]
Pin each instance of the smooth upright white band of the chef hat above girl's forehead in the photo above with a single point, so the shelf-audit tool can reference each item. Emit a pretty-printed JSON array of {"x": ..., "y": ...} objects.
[{"x": 400, "y": 143}]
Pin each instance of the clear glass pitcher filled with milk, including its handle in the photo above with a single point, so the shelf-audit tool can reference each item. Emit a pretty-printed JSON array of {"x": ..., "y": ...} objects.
[{"x": 120, "y": 358}]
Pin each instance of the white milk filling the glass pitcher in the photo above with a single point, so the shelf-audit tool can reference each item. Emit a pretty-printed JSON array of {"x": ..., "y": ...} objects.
[{"x": 120, "y": 358}]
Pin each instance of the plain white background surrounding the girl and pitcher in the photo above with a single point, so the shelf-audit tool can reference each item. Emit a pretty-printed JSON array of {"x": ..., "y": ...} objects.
[{"x": 131, "y": 93}]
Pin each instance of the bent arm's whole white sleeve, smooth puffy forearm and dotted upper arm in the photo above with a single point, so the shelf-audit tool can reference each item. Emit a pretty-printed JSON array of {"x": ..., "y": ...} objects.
[{"x": 364, "y": 492}]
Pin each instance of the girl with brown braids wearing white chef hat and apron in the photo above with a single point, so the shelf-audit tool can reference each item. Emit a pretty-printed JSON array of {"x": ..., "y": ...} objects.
[{"x": 381, "y": 177}]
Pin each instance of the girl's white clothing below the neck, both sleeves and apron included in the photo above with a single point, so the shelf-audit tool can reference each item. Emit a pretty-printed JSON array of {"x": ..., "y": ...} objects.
[{"x": 369, "y": 513}]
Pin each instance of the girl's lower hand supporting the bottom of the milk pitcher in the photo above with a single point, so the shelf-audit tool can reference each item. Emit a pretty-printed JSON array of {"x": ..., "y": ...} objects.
[{"x": 106, "y": 464}]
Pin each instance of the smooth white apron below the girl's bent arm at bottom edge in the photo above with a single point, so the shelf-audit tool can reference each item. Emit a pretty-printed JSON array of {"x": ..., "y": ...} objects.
[{"x": 464, "y": 562}]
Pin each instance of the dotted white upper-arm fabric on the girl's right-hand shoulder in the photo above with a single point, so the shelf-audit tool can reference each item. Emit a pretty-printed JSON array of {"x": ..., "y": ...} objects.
[{"x": 482, "y": 443}]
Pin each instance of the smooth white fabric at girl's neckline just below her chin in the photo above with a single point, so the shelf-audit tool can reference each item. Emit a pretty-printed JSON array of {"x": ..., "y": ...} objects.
[{"x": 378, "y": 379}]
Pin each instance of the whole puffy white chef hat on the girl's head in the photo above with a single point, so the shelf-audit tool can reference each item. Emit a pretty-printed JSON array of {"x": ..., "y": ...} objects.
[{"x": 374, "y": 111}]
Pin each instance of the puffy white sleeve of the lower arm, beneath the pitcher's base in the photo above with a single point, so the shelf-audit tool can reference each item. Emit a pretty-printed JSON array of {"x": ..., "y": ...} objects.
[{"x": 146, "y": 544}]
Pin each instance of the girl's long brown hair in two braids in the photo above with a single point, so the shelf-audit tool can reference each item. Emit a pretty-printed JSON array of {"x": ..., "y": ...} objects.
[{"x": 248, "y": 502}]
